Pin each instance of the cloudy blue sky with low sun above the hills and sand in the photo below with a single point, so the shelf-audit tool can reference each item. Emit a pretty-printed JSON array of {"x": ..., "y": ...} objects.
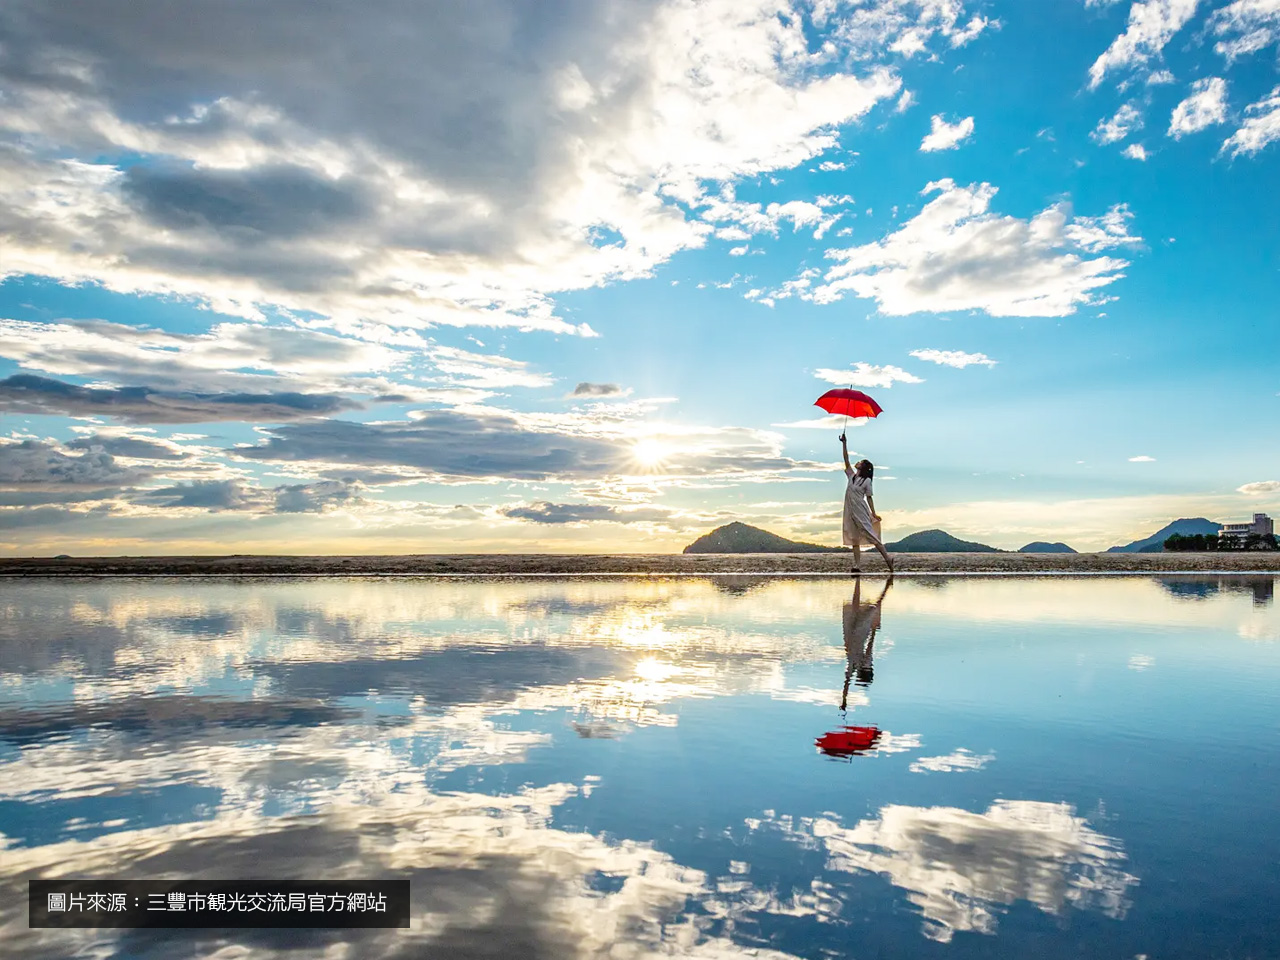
[{"x": 392, "y": 277}]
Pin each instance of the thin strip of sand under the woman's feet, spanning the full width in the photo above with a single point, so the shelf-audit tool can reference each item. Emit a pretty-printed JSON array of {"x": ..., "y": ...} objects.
[{"x": 647, "y": 565}]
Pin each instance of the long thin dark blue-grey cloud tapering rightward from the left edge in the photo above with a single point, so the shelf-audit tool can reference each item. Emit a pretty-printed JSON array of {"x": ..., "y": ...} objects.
[{"x": 26, "y": 394}]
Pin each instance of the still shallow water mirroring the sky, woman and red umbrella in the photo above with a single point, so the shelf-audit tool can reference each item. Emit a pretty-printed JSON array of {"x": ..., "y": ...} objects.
[{"x": 577, "y": 769}]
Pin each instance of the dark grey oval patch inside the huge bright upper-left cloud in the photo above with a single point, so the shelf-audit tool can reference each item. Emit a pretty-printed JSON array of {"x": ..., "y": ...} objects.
[{"x": 276, "y": 203}]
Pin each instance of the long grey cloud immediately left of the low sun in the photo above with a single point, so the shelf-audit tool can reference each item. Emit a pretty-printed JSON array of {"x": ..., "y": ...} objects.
[{"x": 444, "y": 442}]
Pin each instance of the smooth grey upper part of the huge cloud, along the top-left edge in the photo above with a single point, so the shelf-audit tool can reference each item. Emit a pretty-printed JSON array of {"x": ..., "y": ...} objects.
[{"x": 418, "y": 79}]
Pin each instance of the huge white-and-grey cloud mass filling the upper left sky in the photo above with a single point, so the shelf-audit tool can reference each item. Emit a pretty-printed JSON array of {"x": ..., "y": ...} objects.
[{"x": 304, "y": 177}]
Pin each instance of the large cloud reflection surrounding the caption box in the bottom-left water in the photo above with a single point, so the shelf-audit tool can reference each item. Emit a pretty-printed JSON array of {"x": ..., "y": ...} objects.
[{"x": 490, "y": 877}]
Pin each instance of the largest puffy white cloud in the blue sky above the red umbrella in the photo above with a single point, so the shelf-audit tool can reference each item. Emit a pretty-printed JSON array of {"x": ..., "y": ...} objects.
[{"x": 956, "y": 255}]
